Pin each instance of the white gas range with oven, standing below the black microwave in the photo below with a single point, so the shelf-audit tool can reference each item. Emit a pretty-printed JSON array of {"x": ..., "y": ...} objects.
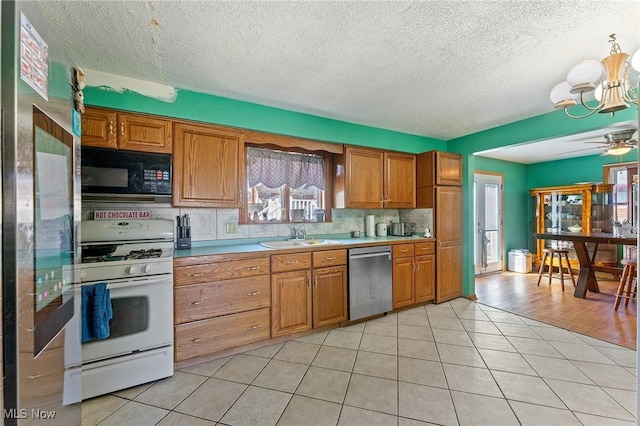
[{"x": 135, "y": 260}]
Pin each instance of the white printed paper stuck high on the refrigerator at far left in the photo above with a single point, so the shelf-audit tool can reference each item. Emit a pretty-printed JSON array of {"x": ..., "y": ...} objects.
[{"x": 34, "y": 58}]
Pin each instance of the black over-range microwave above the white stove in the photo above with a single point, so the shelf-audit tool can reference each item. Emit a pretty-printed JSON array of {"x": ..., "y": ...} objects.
[{"x": 120, "y": 172}]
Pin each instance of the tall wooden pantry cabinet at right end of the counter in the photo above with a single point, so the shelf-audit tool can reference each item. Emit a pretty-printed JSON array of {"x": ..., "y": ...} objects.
[{"x": 439, "y": 187}]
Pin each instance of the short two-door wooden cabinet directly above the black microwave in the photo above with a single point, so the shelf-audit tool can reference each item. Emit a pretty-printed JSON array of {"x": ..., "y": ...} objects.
[{"x": 122, "y": 130}]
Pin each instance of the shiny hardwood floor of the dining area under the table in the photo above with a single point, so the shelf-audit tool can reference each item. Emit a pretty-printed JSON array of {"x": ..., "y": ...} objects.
[{"x": 593, "y": 316}]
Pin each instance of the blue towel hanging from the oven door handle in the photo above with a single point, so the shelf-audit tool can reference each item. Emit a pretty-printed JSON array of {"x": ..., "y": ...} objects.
[{"x": 96, "y": 312}]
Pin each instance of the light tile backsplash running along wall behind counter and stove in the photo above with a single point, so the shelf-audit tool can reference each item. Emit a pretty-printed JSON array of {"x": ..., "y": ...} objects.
[{"x": 223, "y": 224}]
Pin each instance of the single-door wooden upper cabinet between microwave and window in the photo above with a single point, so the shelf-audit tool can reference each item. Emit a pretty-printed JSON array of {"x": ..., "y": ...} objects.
[{"x": 208, "y": 166}]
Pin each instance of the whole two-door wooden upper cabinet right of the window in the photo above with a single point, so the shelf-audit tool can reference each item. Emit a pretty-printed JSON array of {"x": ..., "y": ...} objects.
[{"x": 371, "y": 178}]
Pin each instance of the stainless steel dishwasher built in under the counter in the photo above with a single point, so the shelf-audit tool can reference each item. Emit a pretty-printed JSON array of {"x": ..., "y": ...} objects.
[{"x": 370, "y": 291}]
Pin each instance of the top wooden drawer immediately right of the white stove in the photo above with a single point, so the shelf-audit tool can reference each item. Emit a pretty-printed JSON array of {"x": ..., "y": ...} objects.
[{"x": 220, "y": 271}]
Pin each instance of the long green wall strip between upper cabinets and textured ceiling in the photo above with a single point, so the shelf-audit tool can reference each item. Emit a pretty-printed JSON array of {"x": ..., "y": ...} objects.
[{"x": 229, "y": 112}]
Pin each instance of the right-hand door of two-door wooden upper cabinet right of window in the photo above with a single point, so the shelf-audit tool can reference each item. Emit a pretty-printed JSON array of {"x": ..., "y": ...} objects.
[{"x": 400, "y": 180}]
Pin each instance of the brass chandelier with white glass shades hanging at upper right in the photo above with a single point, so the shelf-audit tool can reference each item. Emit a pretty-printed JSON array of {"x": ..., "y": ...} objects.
[{"x": 608, "y": 81}]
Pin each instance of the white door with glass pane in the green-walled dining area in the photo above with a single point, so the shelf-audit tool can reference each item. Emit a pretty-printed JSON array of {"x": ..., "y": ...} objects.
[{"x": 488, "y": 223}]
